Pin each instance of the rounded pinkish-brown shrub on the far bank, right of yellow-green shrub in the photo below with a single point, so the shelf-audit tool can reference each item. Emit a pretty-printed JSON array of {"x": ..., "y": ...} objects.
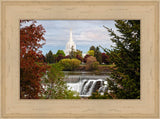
[{"x": 92, "y": 63}]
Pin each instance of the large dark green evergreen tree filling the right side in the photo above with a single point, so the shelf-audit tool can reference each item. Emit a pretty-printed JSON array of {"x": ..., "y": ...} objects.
[{"x": 125, "y": 78}]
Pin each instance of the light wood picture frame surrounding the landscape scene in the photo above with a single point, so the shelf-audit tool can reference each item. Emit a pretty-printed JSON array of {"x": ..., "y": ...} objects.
[{"x": 14, "y": 10}]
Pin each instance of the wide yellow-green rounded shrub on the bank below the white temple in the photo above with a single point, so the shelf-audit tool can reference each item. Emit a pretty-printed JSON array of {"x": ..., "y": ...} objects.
[{"x": 70, "y": 64}]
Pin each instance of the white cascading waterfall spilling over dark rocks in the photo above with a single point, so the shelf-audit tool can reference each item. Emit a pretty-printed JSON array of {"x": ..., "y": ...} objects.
[{"x": 86, "y": 87}]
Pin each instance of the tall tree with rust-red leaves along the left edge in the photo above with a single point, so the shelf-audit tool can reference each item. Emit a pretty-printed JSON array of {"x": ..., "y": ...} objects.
[{"x": 32, "y": 66}]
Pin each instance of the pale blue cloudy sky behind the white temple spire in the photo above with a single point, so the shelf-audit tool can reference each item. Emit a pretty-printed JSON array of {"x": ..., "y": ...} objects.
[{"x": 85, "y": 34}]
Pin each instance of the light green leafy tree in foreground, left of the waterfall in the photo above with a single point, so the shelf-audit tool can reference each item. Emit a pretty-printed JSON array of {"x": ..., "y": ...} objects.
[{"x": 55, "y": 86}]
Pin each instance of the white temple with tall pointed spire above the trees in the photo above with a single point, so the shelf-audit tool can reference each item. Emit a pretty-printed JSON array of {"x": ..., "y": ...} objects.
[{"x": 70, "y": 44}]
